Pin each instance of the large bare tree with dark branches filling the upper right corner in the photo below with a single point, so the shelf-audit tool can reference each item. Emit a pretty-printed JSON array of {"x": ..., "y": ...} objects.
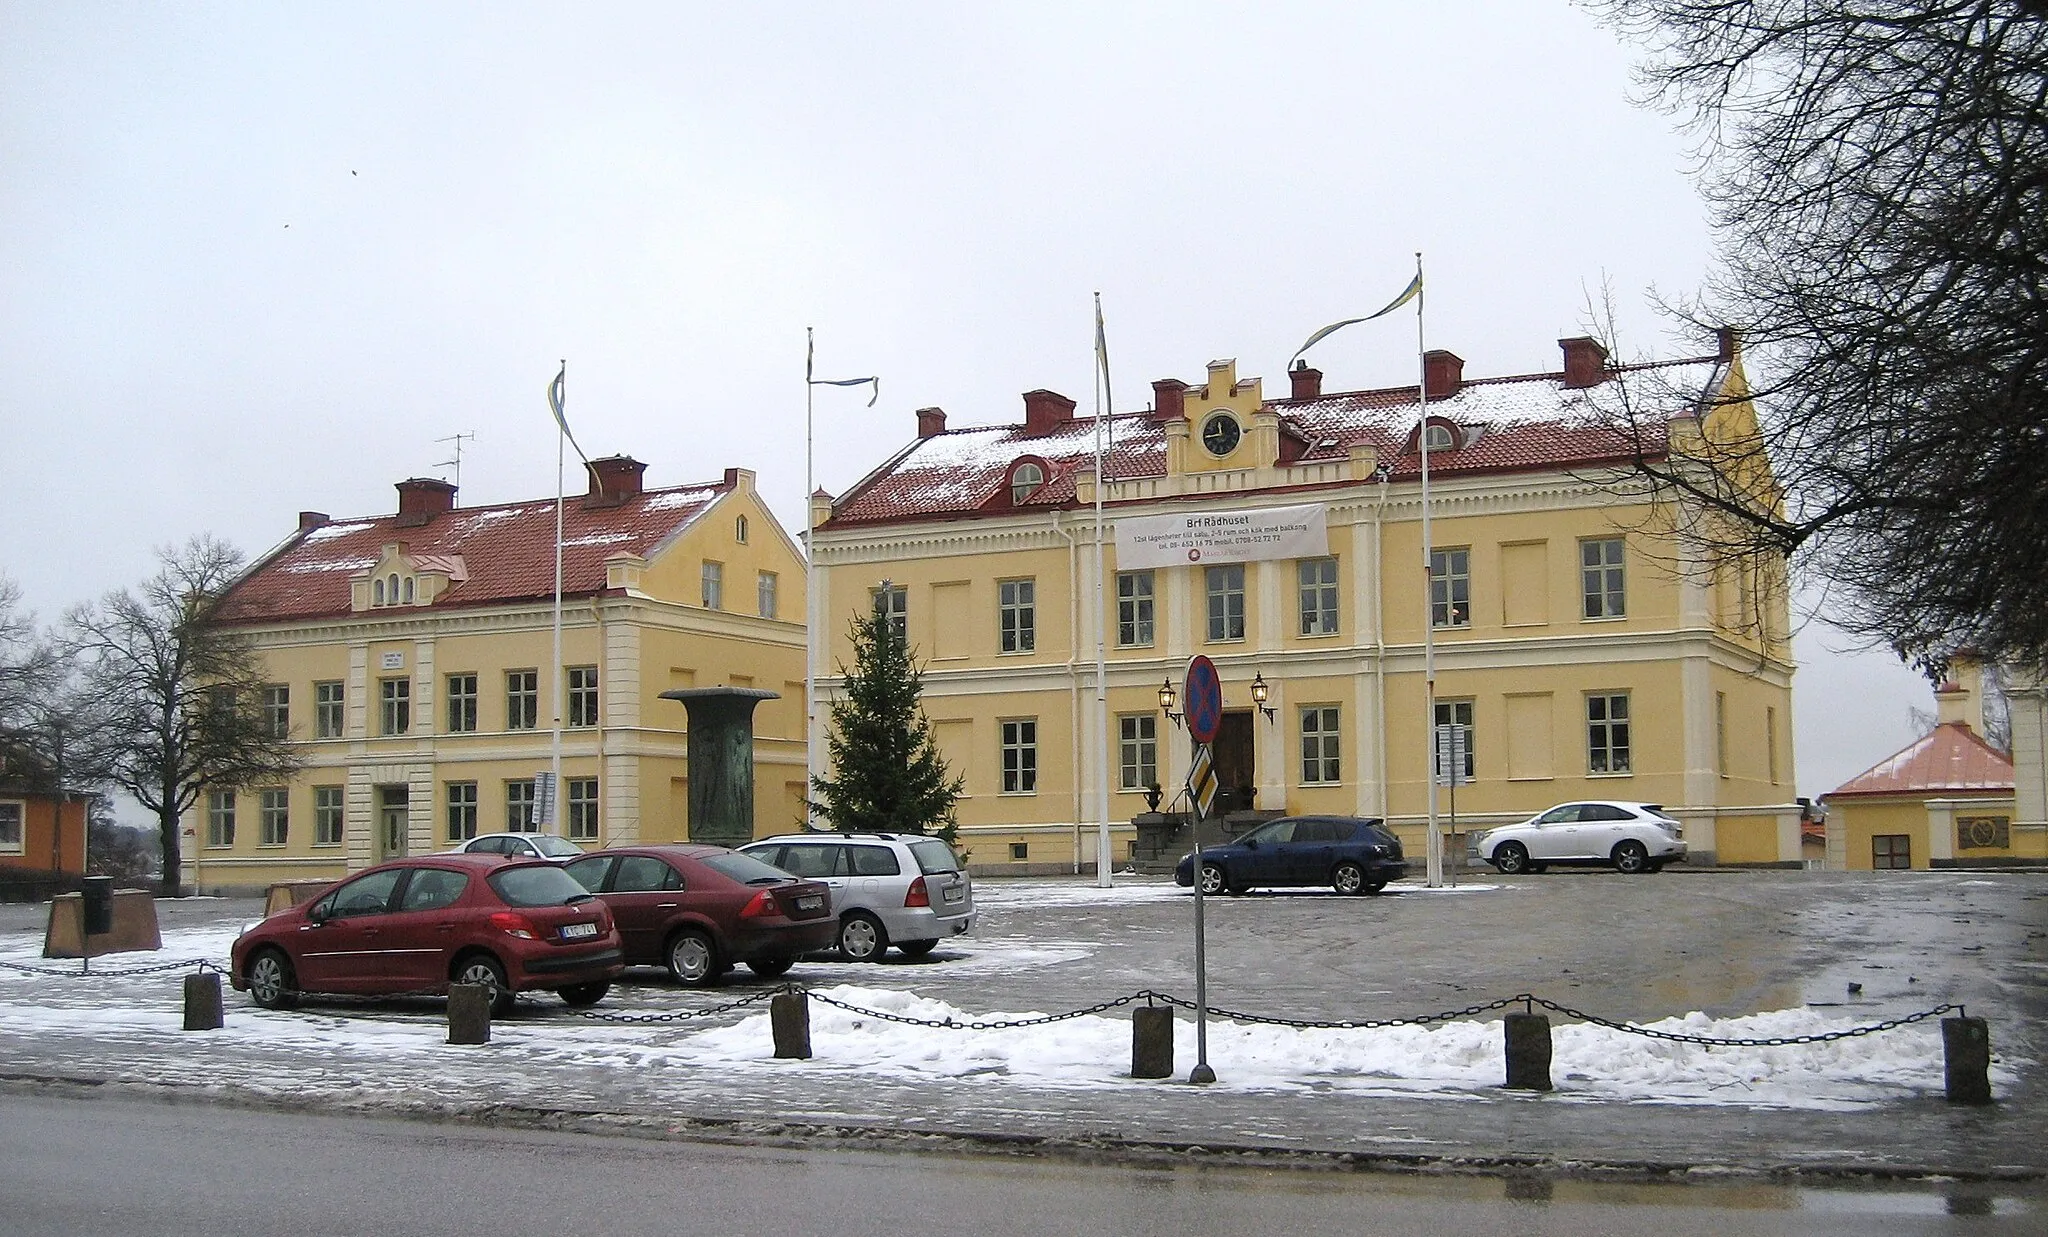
[{"x": 1879, "y": 183}]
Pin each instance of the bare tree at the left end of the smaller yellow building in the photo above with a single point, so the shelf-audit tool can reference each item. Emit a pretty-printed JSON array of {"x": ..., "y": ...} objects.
[{"x": 171, "y": 703}]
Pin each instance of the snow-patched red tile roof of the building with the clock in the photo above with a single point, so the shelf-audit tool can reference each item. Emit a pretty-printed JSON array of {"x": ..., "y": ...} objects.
[{"x": 1529, "y": 423}]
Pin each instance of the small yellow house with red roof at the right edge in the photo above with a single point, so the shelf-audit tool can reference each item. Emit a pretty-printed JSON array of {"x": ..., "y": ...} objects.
[{"x": 1943, "y": 802}]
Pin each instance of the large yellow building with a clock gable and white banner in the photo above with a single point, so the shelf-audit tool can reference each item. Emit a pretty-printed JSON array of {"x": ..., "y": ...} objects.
[{"x": 1582, "y": 650}]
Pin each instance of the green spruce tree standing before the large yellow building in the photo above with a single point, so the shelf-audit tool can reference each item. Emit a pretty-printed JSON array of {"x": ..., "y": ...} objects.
[{"x": 890, "y": 775}]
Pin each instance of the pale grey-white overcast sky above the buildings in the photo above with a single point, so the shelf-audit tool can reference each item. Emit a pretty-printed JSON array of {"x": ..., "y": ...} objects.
[{"x": 261, "y": 259}]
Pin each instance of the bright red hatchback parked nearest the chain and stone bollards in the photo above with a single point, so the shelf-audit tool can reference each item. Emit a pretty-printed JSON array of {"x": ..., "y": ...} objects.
[{"x": 421, "y": 925}]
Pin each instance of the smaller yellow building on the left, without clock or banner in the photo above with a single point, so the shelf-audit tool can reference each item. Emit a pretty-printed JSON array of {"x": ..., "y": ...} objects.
[{"x": 409, "y": 656}]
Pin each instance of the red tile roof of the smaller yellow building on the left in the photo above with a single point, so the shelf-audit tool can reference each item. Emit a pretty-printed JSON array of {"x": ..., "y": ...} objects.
[{"x": 507, "y": 552}]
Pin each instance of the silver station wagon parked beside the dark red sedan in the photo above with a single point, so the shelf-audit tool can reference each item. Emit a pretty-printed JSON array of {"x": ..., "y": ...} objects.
[{"x": 902, "y": 890}]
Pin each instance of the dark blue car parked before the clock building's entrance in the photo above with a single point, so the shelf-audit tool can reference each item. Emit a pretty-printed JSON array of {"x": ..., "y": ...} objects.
[{"x": 1351, "y": 855}]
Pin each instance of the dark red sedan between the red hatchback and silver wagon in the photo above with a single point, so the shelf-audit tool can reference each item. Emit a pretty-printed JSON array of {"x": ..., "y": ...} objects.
[{"x": 699, "y": 908}]
